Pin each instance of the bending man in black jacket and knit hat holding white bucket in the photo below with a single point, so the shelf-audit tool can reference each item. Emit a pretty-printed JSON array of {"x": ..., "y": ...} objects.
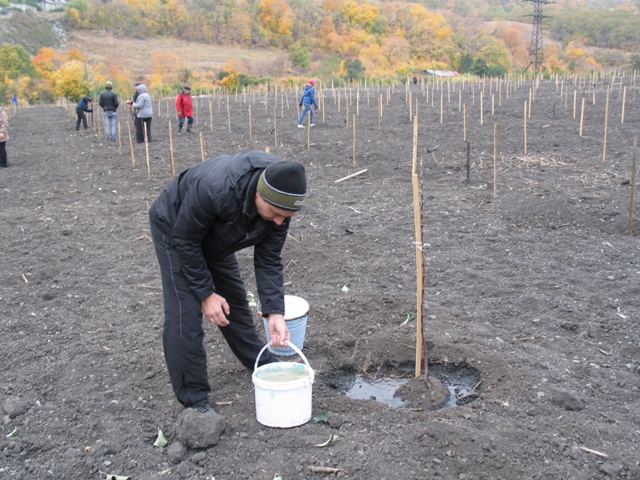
[{"x": 198, "y": 222}]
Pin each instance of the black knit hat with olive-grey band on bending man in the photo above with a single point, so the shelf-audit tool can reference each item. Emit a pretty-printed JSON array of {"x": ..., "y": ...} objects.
[{"x": 284, "y": 185}]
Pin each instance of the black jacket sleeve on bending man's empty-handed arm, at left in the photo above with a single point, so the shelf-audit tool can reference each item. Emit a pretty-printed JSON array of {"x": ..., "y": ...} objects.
[{"x": 196, "y": 216}]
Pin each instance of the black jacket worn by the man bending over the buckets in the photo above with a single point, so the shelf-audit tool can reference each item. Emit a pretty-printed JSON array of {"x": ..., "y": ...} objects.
[{"x": 209, "y": 212}]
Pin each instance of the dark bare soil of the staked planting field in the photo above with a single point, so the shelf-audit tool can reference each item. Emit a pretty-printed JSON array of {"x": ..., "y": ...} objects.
[{"x": 535, "y": 288}]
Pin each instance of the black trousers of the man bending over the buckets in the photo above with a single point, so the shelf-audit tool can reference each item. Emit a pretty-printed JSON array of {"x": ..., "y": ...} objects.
[{"x": 183, "y": 333}]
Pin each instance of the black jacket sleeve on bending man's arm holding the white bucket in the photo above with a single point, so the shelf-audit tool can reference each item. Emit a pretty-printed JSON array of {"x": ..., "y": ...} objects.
[{"x": 267, "y": 261}]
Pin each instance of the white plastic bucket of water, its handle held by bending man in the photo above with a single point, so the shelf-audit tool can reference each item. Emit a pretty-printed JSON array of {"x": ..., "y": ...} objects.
[{"x": 283, "y": 392}]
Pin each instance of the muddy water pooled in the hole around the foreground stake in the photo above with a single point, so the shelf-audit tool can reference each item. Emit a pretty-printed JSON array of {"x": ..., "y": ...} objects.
[{"x": 459, "y": 381}]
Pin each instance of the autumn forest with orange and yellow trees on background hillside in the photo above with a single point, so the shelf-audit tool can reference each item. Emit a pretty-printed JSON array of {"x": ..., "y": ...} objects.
[{"x": 333, "y": 40}]
